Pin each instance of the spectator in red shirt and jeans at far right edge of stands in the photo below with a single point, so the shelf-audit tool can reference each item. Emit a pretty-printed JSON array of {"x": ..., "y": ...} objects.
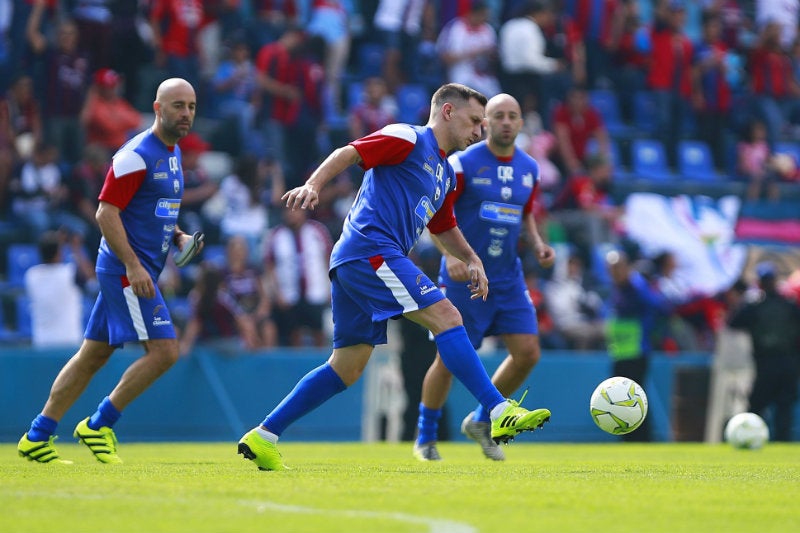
[{"x": 775, "y": 90}]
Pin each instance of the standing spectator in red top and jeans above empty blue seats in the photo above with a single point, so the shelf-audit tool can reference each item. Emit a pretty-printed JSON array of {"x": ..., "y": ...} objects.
[{"x": 670, "y": 74}]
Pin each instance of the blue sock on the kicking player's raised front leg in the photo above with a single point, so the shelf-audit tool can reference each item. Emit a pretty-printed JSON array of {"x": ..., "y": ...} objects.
[{"x": 462, "y": 360}]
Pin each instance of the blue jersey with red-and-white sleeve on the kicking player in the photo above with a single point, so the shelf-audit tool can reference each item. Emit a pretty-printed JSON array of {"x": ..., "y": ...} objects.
[{"x": 405, "y": 184}]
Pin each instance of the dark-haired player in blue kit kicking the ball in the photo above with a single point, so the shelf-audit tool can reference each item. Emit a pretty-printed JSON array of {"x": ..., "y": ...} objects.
[{"x": 373, "y": 279}]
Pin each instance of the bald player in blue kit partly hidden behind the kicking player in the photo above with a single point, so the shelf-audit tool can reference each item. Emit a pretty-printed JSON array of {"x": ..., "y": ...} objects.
[{"x": 492, "y": 204}]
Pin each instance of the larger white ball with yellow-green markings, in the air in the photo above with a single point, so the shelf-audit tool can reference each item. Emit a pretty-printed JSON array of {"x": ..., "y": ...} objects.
[{"x": 618, "y": 405}]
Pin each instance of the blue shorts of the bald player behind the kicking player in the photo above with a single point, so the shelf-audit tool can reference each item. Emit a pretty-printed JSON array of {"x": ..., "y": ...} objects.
[{"x": 507, "y": 309}]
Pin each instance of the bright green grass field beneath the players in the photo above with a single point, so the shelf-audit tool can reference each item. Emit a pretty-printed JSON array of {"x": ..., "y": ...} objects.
[{"x": 357, "y": 487}]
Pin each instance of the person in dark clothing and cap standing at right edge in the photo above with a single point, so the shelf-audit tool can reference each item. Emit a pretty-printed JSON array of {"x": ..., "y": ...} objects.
[{"x": 773, "y": 322}]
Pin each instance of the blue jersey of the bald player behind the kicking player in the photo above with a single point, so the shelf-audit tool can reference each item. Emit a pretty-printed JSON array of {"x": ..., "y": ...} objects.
[{"x": 491, "y": 199}]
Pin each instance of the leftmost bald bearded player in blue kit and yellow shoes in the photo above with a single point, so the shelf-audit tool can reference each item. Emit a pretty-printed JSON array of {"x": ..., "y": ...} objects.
[{"x": 137, "y": 215}]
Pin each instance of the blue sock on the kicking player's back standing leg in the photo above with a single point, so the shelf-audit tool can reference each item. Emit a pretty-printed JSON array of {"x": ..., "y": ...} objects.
[{"x": 316, "y": 387}]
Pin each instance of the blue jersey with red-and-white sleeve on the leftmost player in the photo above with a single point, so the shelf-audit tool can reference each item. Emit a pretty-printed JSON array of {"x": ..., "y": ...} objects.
[{"x": 145, "y": 182}]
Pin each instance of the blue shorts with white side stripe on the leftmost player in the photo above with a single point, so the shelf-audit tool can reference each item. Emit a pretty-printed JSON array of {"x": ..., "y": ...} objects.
[{"x": 119, "y": 316}]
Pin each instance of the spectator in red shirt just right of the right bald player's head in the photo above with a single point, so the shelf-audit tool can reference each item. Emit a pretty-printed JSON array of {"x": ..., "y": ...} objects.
[{"x": 575, "y": 124}]
